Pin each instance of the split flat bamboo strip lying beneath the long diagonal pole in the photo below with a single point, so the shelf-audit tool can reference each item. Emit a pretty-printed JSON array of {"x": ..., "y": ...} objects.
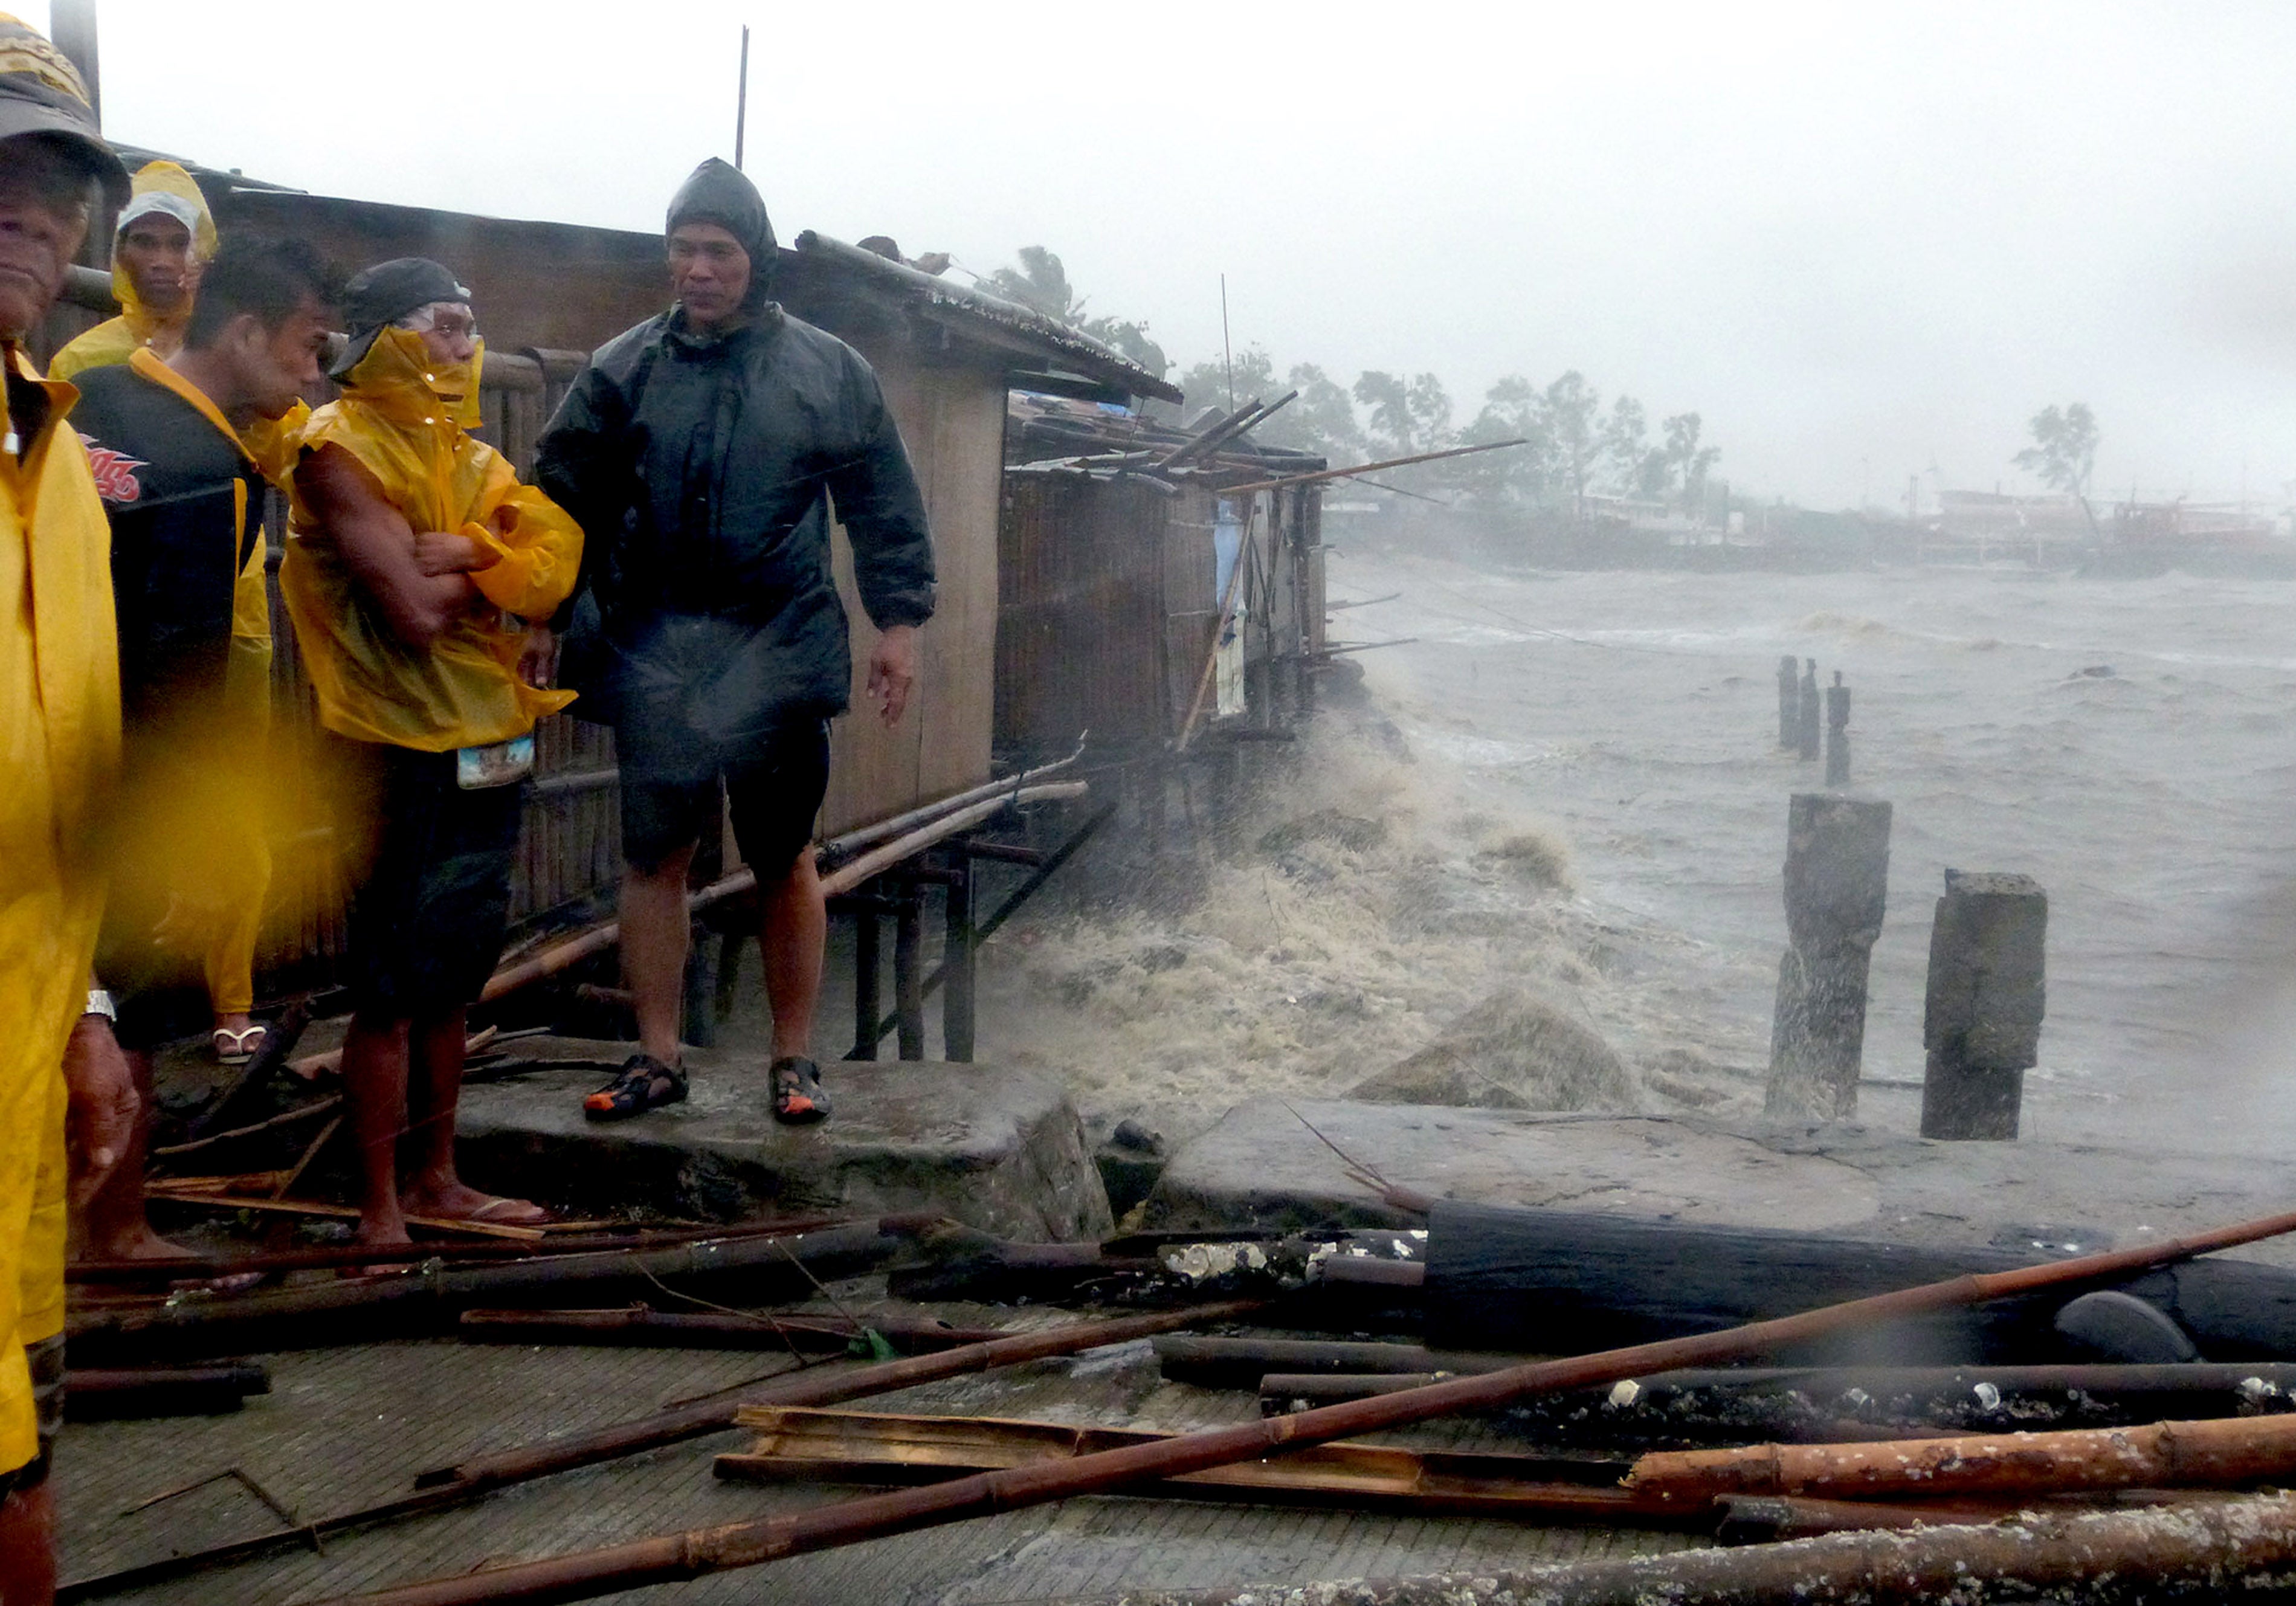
[{"x": 871, "y": 1449}]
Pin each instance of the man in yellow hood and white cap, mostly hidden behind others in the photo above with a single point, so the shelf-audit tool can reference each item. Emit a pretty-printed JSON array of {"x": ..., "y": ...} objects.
[{"x": 162, "y": 249}]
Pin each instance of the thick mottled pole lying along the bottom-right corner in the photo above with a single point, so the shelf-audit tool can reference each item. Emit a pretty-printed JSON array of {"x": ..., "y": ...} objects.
[{"x": 2201, "y": 1552}]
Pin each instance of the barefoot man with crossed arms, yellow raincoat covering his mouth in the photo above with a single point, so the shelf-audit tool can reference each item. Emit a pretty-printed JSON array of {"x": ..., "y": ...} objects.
[{"x": 412, "y": 566}]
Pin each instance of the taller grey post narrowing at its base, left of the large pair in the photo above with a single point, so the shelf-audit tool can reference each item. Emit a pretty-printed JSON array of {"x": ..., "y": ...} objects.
[{"x": 1838, "y": 881}]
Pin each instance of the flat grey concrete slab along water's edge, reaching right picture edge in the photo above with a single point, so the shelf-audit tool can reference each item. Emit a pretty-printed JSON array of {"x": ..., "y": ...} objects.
[{"x": 1262, "y": 1164}]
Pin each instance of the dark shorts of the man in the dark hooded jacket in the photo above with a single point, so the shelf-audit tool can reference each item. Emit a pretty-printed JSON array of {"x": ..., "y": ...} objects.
[{"x": 775, "y": 792}]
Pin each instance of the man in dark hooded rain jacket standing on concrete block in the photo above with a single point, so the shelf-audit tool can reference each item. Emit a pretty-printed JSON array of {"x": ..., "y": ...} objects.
[{"x": 699, "y": 454}]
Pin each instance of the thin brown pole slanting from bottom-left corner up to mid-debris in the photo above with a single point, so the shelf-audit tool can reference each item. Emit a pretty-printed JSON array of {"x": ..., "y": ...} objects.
[{"x": 814, "y": 1387}]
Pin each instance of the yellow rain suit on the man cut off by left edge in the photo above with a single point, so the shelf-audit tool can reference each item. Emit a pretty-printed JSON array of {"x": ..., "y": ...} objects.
[{"x": 59, "y": 750}]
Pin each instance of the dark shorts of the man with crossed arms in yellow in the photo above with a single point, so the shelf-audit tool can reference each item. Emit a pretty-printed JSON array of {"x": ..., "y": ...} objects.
[{"x": 428, "y": 870}]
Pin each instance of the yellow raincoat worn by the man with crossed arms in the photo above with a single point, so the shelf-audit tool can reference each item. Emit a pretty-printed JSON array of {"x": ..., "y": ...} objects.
[{"x": 405, "y": 422}]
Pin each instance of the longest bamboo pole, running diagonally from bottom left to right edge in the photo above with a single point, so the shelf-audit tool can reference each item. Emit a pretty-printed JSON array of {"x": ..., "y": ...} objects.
[{"x": 701, "y": 1552}]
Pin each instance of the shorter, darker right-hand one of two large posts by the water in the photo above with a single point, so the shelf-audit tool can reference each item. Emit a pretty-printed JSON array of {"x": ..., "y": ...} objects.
[{"x": 1987, "y": 996}]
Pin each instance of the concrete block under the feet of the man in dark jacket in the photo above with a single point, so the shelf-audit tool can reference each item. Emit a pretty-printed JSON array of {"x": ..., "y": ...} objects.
[{"x": 995, "y": 1150}]
